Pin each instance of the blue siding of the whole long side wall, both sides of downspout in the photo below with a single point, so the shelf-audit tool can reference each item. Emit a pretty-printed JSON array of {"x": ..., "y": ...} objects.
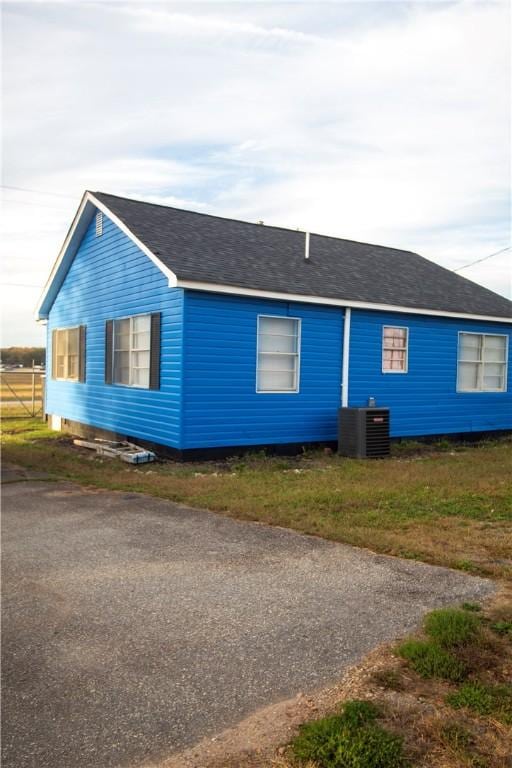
[{"x": 221, "y": 406}]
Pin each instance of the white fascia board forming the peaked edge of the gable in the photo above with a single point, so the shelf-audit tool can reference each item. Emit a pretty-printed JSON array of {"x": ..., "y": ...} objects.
[{"x": 67, "y": 253}]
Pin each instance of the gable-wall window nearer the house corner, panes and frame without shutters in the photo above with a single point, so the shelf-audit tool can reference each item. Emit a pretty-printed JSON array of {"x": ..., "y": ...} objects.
[{"x": 132, "y": 348}]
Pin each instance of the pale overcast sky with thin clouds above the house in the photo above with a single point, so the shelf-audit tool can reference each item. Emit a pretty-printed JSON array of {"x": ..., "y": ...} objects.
[{"x": 377, "y": 121}]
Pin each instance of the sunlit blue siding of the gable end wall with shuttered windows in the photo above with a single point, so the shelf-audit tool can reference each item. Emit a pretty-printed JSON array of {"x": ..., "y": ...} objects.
[{"x": 110, "y": 277}]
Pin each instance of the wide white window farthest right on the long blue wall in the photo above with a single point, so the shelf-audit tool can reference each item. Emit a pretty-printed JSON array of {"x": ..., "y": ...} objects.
[{"x": 482, "y": 363}]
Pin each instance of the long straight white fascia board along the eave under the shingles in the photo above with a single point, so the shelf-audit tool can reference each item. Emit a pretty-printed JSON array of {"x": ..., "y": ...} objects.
[{"x": 194, "y": 285}]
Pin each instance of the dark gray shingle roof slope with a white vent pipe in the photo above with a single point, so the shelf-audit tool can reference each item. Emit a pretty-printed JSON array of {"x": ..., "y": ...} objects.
[{"x": 211, "y": 249}]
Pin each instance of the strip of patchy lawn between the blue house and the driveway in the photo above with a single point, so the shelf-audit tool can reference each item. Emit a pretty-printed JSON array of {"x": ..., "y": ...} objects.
[{"x": 445, "y": 504}]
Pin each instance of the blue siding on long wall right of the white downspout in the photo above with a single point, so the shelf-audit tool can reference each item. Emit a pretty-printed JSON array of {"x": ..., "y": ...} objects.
[{"x": 424, "y": 401}]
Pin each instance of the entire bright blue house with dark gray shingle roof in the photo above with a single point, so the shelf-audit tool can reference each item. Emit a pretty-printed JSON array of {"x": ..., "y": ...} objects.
[{"x": 194, "y": 332}]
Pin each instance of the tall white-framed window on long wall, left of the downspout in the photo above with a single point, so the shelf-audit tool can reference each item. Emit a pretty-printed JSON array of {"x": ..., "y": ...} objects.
[{"x": 278, "y": 354}]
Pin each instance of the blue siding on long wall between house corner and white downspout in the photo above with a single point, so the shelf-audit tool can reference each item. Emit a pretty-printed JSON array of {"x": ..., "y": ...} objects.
[{"x": 221, "y": 406}]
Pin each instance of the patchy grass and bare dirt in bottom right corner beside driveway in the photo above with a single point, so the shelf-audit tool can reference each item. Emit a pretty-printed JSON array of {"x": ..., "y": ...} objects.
[{"x": 410, "y": 718}]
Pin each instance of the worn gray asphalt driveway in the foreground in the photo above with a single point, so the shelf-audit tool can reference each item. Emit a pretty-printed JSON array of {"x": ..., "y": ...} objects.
[{"x": 133, "y": 627}]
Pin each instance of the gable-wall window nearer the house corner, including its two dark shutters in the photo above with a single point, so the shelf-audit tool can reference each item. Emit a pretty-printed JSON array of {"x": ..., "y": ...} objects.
[{"x": 132, "y": 351}]
